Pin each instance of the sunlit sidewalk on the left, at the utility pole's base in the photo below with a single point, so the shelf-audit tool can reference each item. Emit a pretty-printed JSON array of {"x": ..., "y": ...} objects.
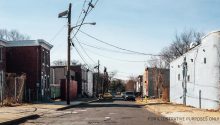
[{"x": 10, "y": 115}]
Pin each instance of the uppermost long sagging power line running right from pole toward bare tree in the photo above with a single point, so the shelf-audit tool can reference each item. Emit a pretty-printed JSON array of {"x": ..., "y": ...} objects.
[{"x": 116, "y": 46}]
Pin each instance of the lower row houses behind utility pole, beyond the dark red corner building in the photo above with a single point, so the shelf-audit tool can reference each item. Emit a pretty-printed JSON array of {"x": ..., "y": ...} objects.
[{"x": 82, "y": 76}]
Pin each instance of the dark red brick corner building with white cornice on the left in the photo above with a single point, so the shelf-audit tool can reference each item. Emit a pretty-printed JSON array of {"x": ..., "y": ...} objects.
[{"x": 33, "y": 58}]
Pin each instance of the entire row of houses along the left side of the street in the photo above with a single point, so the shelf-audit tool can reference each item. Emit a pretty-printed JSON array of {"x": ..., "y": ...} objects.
[{"x": 43, "y": 81}]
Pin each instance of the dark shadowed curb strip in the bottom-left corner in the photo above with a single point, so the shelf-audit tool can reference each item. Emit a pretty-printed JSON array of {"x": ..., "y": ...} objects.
[{"x": 20, "y": 120}]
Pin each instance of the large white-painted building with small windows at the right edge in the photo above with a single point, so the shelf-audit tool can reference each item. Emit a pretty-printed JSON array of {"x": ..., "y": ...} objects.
[{"x": 203, "y": 74}]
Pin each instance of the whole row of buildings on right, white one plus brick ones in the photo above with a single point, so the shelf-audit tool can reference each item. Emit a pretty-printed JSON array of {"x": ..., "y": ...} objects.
[{"x": 193, "y": 78}]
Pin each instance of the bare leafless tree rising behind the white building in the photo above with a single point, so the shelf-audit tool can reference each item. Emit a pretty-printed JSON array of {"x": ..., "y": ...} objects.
[{"x": 180, "y": 45}]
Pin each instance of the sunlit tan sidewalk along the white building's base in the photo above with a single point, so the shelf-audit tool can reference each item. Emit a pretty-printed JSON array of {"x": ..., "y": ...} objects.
[{"x": 184, "y": 115}]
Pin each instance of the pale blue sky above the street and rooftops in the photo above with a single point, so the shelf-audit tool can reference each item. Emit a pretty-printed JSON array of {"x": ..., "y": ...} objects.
[{"x": 140, "y": 25}]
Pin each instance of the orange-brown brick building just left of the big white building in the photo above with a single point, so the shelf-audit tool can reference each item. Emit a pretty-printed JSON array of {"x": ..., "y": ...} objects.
[{"x": 156, "y": 83}]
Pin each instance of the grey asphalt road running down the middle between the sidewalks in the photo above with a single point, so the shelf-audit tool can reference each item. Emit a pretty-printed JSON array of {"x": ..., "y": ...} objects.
[{"x": 103, "y": 112}]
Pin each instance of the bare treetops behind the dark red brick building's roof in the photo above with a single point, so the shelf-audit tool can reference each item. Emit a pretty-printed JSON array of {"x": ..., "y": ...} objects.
[{"x": 12, "y": 35}]
